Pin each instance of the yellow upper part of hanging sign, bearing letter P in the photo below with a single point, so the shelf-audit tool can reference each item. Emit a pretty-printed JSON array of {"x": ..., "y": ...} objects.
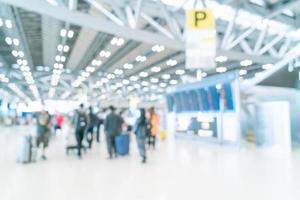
[{"x": 200, "y": 19}]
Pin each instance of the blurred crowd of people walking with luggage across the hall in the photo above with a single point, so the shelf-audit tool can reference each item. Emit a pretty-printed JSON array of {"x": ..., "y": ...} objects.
[{"x": 86, "y": 127}]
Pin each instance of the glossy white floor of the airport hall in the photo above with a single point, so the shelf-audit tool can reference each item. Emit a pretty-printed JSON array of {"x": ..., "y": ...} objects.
[{"x": 177, "y": 170}]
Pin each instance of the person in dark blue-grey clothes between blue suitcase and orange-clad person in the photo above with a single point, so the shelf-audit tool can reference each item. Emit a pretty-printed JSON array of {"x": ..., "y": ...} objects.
[{"x": 140, "y": 130}]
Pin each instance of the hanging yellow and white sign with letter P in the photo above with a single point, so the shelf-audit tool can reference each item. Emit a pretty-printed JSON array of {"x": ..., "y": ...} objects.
[{"x": 200, "y": 39}]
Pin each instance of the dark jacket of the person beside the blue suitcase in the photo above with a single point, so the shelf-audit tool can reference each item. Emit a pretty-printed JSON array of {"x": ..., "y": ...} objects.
[{"x": 113, "y": 124}]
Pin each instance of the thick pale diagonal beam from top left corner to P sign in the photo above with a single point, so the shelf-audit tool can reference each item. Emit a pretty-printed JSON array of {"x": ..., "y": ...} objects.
[{"x": 102, "y": 25}]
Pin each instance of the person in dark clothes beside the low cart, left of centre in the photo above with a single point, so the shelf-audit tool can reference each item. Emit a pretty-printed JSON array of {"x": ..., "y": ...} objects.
[{"x": 80, "y": 122}]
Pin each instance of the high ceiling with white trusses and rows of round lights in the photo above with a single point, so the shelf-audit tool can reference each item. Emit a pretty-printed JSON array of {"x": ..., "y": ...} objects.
[{"x": 111, "y": 49}]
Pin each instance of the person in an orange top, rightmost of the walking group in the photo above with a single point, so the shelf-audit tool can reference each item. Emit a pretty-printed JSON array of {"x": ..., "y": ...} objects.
[{"x": 154, "y": 120}]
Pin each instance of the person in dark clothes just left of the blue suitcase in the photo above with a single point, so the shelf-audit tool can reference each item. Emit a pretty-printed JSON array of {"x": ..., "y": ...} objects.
[{"x": 112, "y": 127}]
